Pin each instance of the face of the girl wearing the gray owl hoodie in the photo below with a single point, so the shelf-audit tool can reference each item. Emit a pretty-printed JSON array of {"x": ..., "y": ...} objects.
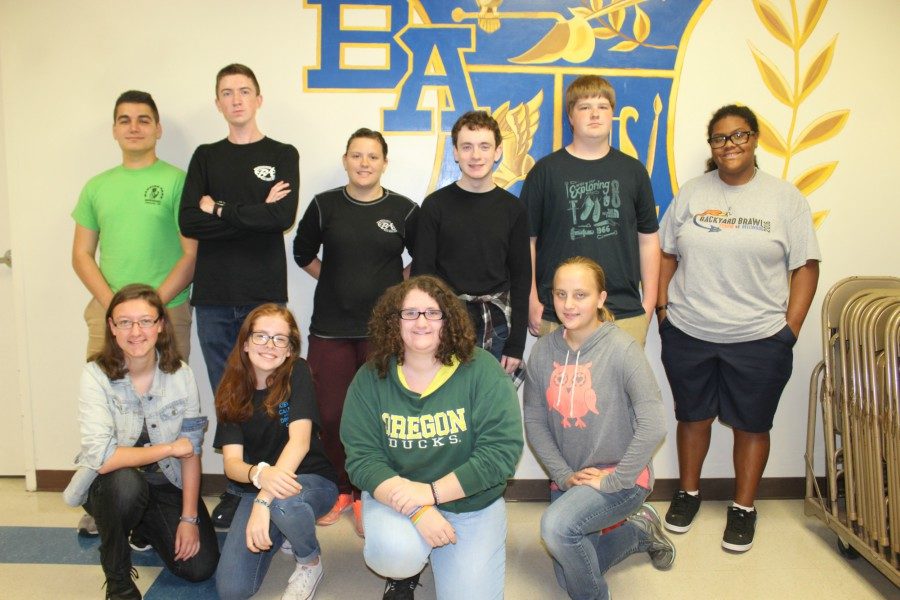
[{"x": 576, "y": 299}]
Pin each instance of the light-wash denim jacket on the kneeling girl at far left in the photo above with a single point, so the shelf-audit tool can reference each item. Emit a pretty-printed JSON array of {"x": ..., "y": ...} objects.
[{"x": 112, "y": 414}]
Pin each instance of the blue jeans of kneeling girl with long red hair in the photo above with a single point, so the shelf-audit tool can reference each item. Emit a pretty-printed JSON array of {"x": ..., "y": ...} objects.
[{"x": 240, "y": 571}]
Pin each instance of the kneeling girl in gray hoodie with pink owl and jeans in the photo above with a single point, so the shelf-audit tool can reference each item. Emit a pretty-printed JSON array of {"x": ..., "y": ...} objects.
[{"x": 594, "y": 417}]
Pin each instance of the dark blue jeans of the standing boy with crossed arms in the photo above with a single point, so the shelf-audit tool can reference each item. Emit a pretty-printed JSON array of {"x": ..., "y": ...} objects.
[{"x": 217, "y": 329}]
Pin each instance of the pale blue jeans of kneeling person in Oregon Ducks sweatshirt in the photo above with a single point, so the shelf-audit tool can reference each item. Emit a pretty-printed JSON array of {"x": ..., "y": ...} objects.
[{"x": 473, "y": 567}]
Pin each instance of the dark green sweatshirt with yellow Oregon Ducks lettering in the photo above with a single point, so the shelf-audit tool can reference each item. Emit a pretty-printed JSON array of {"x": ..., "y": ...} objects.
[{"x": 470, "y": 425}]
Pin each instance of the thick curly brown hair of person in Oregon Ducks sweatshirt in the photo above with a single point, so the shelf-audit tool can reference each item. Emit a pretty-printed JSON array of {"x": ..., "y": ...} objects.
[{"x": 457, "y": 334}]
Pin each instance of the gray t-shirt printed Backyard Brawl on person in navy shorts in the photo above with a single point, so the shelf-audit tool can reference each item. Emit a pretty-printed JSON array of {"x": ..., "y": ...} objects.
[{"x": 736, "y": 247}]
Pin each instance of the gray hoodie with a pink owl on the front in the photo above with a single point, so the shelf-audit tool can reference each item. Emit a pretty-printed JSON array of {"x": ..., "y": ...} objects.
[{"x": 599, "y": 406}]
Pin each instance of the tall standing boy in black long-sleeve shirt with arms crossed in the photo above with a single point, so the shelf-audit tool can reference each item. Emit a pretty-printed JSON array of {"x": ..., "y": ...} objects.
[{"x": 239, "y": 197}]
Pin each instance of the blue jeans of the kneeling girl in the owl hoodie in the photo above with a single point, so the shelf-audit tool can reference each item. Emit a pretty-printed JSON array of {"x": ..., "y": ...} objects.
[{"x": 571, "y": 528}]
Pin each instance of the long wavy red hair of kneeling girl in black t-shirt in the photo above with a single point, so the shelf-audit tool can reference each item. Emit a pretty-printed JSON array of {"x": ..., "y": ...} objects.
[{"x": 234, "y": 397}]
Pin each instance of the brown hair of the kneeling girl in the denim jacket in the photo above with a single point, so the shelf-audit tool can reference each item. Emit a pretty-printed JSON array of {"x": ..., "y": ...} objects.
[{"x": 111, "y": 359}]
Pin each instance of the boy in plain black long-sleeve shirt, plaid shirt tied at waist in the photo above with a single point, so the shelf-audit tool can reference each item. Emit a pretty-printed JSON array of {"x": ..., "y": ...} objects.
[{"x": 474, "y": 235}]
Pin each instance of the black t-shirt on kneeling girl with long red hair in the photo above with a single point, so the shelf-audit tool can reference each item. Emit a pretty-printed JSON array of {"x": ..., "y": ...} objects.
[{"x": 263, "y": 437}]
